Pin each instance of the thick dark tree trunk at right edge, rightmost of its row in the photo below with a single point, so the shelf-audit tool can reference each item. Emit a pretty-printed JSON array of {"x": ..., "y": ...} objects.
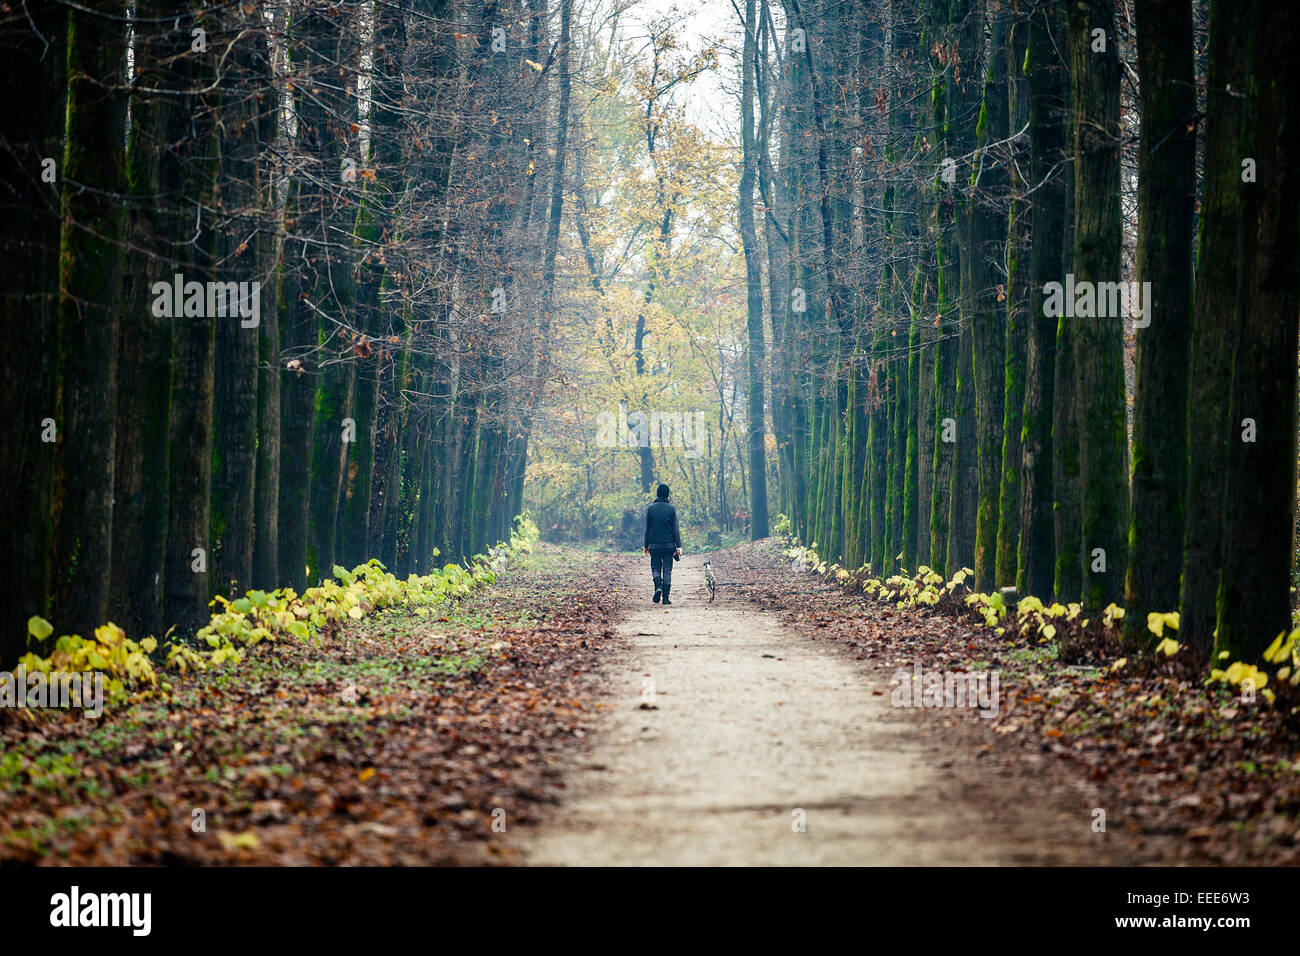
[{"x": 1254, "y": 596}]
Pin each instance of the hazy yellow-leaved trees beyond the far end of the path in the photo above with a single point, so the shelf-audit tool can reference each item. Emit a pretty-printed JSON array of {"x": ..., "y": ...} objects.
[{"x": 652, "y": 328}]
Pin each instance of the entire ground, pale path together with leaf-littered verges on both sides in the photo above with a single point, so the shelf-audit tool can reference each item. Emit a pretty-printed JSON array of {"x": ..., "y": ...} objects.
[{"x": 560, "y": 717}]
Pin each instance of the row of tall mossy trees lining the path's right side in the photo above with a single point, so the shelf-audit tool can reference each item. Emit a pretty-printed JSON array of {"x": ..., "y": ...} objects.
[{"x": 946, "y": 191}]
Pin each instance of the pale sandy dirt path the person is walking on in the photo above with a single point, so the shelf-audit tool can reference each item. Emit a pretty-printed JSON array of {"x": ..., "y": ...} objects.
[{"x": 751, "y": 724}]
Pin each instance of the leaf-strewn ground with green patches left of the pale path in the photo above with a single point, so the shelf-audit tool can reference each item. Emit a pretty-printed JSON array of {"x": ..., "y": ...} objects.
[{"x": 408, "y": 738}]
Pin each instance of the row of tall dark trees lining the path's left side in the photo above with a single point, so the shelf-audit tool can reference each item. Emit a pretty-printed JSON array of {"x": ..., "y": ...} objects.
[{"x": 279, "y": 284}]
